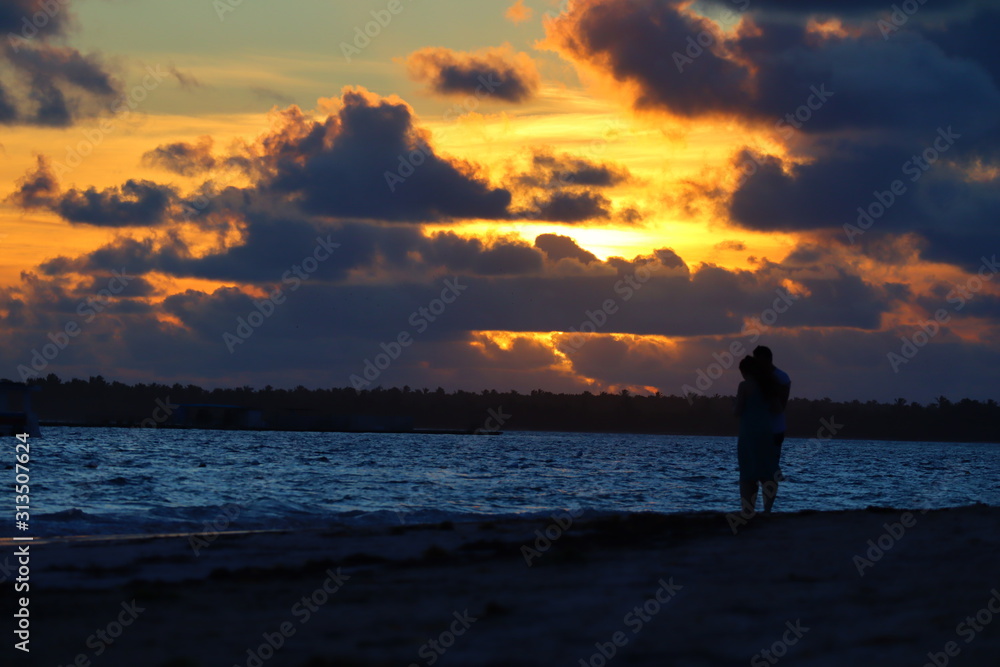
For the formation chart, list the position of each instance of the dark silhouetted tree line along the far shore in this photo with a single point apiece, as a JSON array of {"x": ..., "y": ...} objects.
[{"x": 98, "y": 402}]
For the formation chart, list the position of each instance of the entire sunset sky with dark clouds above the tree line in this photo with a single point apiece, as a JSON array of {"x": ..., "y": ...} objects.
[{"x": 228, "y": 193}]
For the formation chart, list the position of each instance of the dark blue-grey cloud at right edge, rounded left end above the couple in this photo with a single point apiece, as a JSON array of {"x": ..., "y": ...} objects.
[{"x": 851, "y": 195}]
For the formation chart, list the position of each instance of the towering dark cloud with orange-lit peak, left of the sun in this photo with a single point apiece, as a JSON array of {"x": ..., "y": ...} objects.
[{"x": 367, "y": 161}]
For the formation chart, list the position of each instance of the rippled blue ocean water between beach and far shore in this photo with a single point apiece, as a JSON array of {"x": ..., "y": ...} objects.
[{"x": 125, "y": 481}]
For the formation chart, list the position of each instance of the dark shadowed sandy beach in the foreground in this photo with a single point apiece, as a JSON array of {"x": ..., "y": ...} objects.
[{"x": 644, "y": 589}]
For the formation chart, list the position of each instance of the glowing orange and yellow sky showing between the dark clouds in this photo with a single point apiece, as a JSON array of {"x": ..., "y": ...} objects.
[{"x": 681, "y": 172}]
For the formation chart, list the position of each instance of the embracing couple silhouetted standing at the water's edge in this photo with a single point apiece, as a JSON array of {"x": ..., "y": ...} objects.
[{"x": 760, "y": 405}]
